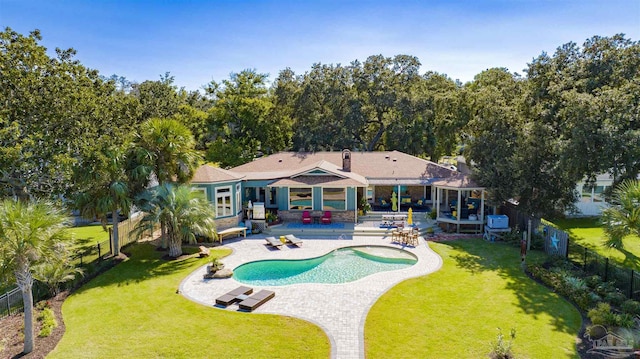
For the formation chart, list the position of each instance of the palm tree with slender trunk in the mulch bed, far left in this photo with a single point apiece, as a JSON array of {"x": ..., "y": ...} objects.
[{"x": 29, "y": 234}]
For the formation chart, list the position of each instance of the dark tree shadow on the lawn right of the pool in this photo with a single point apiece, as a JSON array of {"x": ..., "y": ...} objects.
[{"x": 533, "y": 298}]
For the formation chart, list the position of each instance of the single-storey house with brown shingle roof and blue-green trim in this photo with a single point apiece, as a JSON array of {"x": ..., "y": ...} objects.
[{"x": 289, "y": 183}]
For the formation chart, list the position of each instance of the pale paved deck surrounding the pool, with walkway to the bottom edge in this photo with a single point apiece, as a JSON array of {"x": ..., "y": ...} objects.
[{"x": 339, "y": 309}]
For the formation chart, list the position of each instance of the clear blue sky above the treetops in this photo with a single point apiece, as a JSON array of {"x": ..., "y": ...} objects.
[{"x": 201, "y": 41}]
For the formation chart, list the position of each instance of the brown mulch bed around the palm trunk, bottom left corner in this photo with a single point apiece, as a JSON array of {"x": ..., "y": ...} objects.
[{"x": 11, "y": 332}]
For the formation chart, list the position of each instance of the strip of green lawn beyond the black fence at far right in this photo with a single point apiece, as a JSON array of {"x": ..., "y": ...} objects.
[{"x": 588, "y": 232}]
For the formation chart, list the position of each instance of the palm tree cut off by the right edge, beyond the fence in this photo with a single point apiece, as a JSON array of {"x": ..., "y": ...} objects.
[{"x": 623, "y": 217}]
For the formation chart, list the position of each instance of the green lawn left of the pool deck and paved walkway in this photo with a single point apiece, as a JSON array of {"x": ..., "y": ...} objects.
[{"x": 133, "y": 311}]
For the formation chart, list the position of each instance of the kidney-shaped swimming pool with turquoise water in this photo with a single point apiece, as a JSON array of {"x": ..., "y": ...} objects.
[{"x": 339, "y": 266}]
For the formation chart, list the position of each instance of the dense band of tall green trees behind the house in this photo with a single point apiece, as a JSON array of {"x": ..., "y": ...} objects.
[{"x": 573, "y": 115}]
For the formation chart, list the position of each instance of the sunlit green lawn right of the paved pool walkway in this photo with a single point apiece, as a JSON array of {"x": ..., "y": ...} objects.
[{"x": 454, "y": 312}]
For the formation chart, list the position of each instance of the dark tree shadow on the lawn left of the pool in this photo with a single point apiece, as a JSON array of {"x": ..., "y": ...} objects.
[{"x": 144, "y": 262}]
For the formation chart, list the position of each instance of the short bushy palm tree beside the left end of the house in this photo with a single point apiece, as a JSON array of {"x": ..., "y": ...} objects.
[{"x": 185, "y": 212}]
